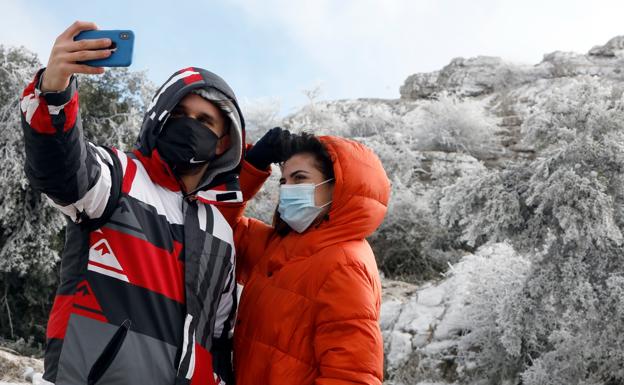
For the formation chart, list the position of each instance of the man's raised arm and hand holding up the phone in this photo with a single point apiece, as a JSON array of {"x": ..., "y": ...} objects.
[{"x": 59, "y": 161}]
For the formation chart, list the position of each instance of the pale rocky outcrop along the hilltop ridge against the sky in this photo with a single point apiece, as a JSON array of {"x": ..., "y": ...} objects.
[{"x": 513, "y": 89}]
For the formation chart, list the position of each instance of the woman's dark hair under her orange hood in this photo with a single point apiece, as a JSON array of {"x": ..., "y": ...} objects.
[{"x": 303, "y": 143}]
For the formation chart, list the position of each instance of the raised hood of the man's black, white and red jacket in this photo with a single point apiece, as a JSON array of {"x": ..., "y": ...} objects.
[{"x": 169, "y": 95}]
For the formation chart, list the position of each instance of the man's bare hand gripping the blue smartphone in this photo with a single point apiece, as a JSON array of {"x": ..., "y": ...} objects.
[{"x": 66, "y": 53}]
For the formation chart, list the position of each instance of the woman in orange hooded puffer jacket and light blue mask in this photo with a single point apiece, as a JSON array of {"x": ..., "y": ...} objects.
[{"x": 309, "y": 310}]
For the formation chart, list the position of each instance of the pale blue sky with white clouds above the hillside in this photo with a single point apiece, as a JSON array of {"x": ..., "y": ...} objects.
[{"x": 273, "y": 50}]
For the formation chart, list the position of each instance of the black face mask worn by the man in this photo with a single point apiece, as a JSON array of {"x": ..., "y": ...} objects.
[{"x": 185, "y": 144}]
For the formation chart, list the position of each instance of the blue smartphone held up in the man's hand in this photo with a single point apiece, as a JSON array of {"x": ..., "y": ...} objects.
[{"x": 122, "y": 40}]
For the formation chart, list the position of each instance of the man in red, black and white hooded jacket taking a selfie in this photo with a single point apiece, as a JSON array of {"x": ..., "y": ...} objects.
[{"x": 147, "y": 291}]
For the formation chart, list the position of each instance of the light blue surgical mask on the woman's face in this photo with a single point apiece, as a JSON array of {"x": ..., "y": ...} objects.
[{"x": 297, "y": 206}]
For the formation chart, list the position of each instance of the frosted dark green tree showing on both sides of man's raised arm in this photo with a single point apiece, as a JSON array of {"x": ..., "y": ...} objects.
[{"x": 31, "y": 231}]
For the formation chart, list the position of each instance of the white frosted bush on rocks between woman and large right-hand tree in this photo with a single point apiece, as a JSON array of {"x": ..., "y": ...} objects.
[{"x": 486, "y": 282}]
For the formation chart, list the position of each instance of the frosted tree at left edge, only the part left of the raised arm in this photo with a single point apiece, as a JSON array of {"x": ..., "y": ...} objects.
[{"x": 29, "y": 230}]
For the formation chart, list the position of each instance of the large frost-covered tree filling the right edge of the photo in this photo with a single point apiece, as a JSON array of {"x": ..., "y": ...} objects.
[{"x": 564, "y": 323}]
